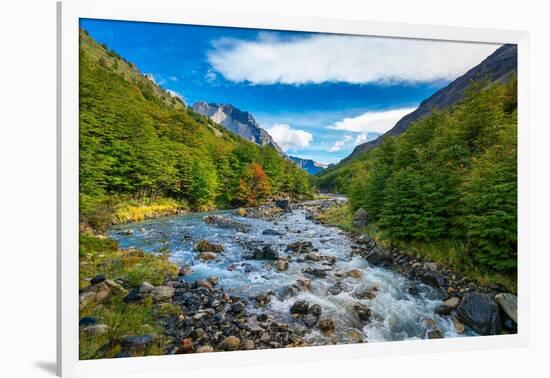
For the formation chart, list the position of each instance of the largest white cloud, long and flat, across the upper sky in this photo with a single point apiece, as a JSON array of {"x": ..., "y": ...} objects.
[{"x": 339, "y": 58}]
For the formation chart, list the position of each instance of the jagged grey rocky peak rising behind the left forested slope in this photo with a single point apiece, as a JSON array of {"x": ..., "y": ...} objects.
[{"x": 239, "y": 122}]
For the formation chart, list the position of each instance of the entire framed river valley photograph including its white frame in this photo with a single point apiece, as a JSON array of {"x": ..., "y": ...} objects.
[{"x": 240, "y": 188}]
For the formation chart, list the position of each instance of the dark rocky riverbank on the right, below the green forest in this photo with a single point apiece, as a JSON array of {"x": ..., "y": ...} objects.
[{"x": 487, "y": 310}]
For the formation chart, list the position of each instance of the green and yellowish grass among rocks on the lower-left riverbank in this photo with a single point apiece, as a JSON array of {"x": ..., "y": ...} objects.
[{"x": 100, "y": 255}]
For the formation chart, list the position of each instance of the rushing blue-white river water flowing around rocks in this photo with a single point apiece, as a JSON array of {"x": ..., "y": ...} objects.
[{"x": 396, "y": 314}]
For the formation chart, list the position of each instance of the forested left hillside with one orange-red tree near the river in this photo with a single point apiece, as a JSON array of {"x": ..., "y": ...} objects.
[{"x": 140, "y": 143}]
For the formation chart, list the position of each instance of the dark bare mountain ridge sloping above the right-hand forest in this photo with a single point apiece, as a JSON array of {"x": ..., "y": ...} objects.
[{"x": 497, "y": 67}]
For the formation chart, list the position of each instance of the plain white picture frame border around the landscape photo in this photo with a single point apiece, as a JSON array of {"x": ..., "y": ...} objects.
[{"x": 166, "y": 11}]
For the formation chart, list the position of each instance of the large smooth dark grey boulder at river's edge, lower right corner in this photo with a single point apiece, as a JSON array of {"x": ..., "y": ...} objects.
[{"x": 480, "y": 312}]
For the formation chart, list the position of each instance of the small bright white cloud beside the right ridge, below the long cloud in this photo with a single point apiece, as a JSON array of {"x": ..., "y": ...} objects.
[{"x": 372, "y": 121}]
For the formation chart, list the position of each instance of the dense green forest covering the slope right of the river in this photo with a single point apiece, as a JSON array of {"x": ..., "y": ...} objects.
[{"x": 451, "y": 176}]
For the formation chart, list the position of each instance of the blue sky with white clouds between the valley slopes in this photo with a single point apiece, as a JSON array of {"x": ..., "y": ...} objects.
[{"x": 318, "y": 95}]
